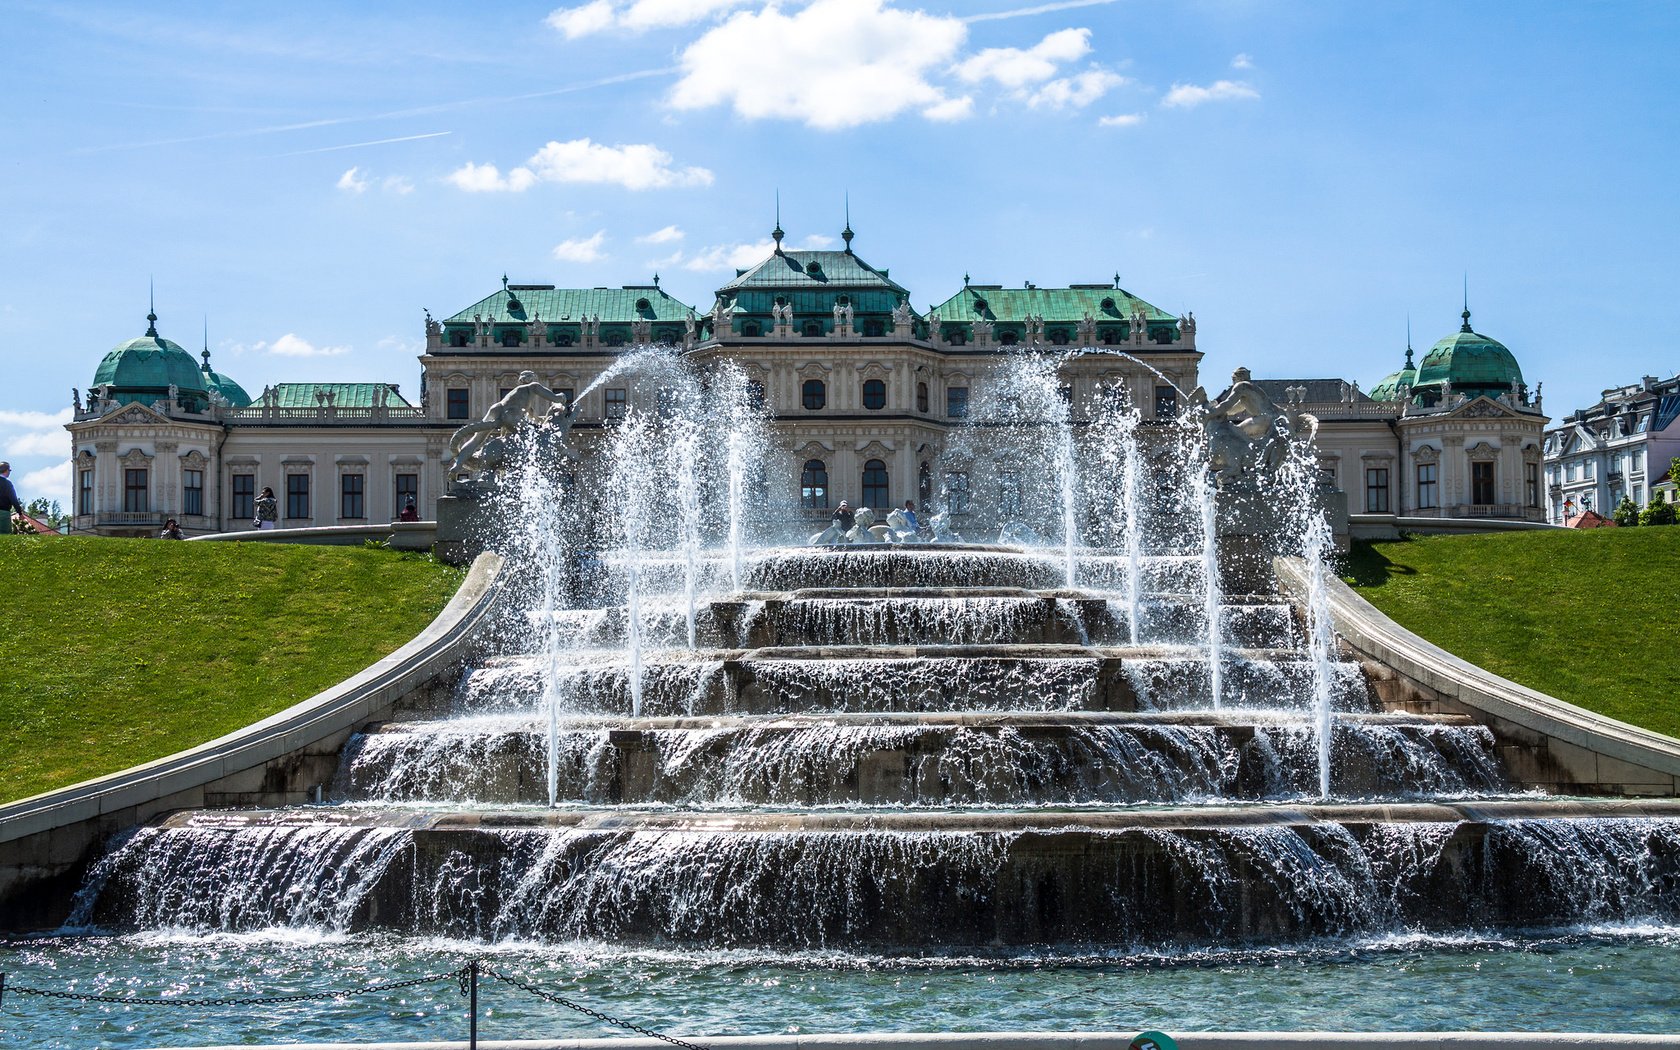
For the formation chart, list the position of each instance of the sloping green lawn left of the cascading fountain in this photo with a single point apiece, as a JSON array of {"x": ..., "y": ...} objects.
[{"x": 123, "y": 651}]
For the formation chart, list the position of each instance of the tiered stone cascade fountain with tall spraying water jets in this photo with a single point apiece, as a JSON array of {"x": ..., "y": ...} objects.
[{"x": 1068, "y": 750}]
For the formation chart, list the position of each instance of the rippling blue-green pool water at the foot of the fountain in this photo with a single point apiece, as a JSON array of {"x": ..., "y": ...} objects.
[{"x": 1583, "y": 980}]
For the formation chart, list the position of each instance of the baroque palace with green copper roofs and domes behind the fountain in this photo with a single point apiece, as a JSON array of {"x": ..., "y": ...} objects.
[{"x": 863, "y": 389}]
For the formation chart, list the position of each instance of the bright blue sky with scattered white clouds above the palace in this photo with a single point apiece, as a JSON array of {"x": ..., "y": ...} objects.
[{"x": 303, "y": 181}]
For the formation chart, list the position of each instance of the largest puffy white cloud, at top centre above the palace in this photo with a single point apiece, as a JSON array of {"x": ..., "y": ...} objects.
[{"x": 829, "y": 65}]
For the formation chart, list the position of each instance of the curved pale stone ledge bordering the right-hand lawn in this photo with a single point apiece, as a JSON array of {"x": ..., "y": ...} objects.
[{"x": 1590, "y": 752}]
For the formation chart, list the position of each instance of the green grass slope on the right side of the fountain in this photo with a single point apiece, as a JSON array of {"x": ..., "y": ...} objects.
[{"x": 1590, "y": 617}]
